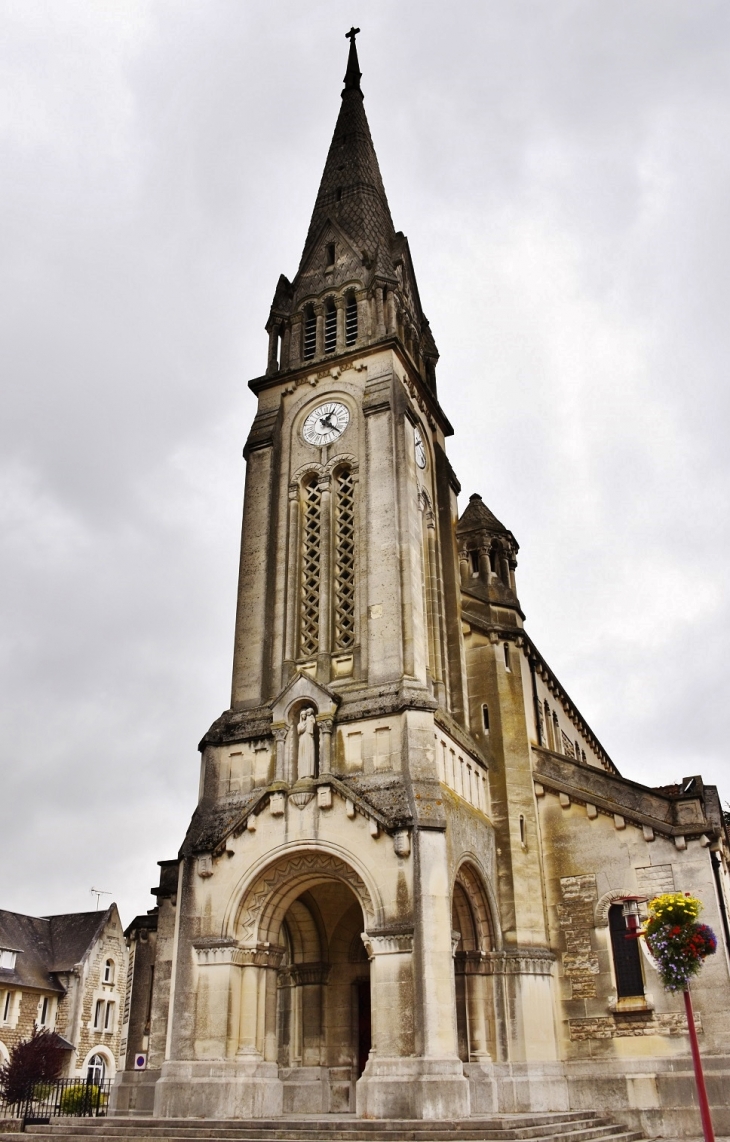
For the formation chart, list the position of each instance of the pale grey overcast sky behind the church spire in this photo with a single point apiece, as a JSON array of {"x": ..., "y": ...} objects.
[{"x": 561, "y": 168}]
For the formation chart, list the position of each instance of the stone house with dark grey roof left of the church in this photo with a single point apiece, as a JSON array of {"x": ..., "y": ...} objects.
[{"x": 66, "y": 974}]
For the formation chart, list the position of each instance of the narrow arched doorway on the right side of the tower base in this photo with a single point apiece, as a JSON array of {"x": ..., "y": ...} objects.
[{"x": 474, "y": 979}]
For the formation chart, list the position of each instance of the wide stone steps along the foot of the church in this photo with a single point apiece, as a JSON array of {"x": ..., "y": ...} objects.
[{"x": 576, "y": 1127}]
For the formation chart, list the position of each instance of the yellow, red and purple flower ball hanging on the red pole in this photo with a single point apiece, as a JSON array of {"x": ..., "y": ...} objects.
[{"x": 676, "y": 939}]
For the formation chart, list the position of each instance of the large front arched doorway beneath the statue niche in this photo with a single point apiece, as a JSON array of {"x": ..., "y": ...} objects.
[{"x": 309, "y": 1010}]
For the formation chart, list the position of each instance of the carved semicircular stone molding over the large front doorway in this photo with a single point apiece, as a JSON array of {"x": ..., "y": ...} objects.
[{"x": 261, "y": 899}]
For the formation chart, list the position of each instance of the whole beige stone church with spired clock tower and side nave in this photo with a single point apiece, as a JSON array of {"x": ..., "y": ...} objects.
[{"x": 405, "y": 889}]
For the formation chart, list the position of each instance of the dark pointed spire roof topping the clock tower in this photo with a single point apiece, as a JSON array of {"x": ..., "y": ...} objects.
[{"x": 351, "y": 192}]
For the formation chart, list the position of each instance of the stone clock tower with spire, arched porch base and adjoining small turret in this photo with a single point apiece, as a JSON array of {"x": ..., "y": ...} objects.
[{"x": 340, "y": 939}]
